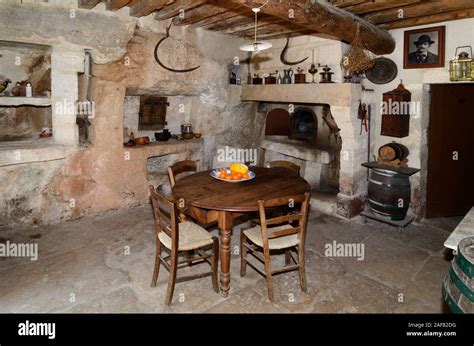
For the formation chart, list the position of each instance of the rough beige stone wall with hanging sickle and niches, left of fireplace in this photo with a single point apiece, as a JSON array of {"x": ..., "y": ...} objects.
[{"x": 105, "y": 175}]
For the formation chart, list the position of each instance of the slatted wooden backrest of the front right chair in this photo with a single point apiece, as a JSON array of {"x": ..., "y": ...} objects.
[{"x": 301, "y": 216}]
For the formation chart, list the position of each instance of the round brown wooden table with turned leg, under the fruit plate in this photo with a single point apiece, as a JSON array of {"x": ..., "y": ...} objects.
[{"x": 226, "y": 201}]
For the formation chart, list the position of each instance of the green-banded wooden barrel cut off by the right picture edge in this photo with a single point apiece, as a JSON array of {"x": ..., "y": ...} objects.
[{"x": 458, "y": 286}]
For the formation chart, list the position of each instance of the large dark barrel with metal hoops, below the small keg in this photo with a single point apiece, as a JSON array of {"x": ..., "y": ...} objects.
[{"x": 389, "y": 193}]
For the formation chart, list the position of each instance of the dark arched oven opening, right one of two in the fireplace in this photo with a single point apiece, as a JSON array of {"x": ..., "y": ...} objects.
[{"x": 304, "y": 125}]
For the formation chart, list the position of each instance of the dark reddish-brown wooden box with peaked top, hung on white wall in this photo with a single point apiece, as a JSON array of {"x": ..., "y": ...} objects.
[{"x": 396, "y": 112}]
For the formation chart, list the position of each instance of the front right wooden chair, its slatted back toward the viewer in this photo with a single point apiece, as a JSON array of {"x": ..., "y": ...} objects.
[{"x": 277, "y": 234}]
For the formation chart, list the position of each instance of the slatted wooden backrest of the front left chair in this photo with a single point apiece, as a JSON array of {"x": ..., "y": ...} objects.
[{"x": 165, "y": 214}]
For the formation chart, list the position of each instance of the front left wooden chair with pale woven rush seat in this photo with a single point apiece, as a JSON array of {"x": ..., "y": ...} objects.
[{"x": 177, "y": 238}]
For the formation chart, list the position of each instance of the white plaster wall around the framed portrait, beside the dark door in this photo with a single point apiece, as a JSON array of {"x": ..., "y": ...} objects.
[{"x": 458, "y": 33}]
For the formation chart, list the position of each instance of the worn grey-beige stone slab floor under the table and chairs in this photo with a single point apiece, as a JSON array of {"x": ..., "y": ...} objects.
[{"x": 104, "y": 264}]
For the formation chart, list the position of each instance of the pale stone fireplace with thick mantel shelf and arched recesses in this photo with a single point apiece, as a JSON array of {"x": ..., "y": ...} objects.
[{"x": 303, "y": 144}]
